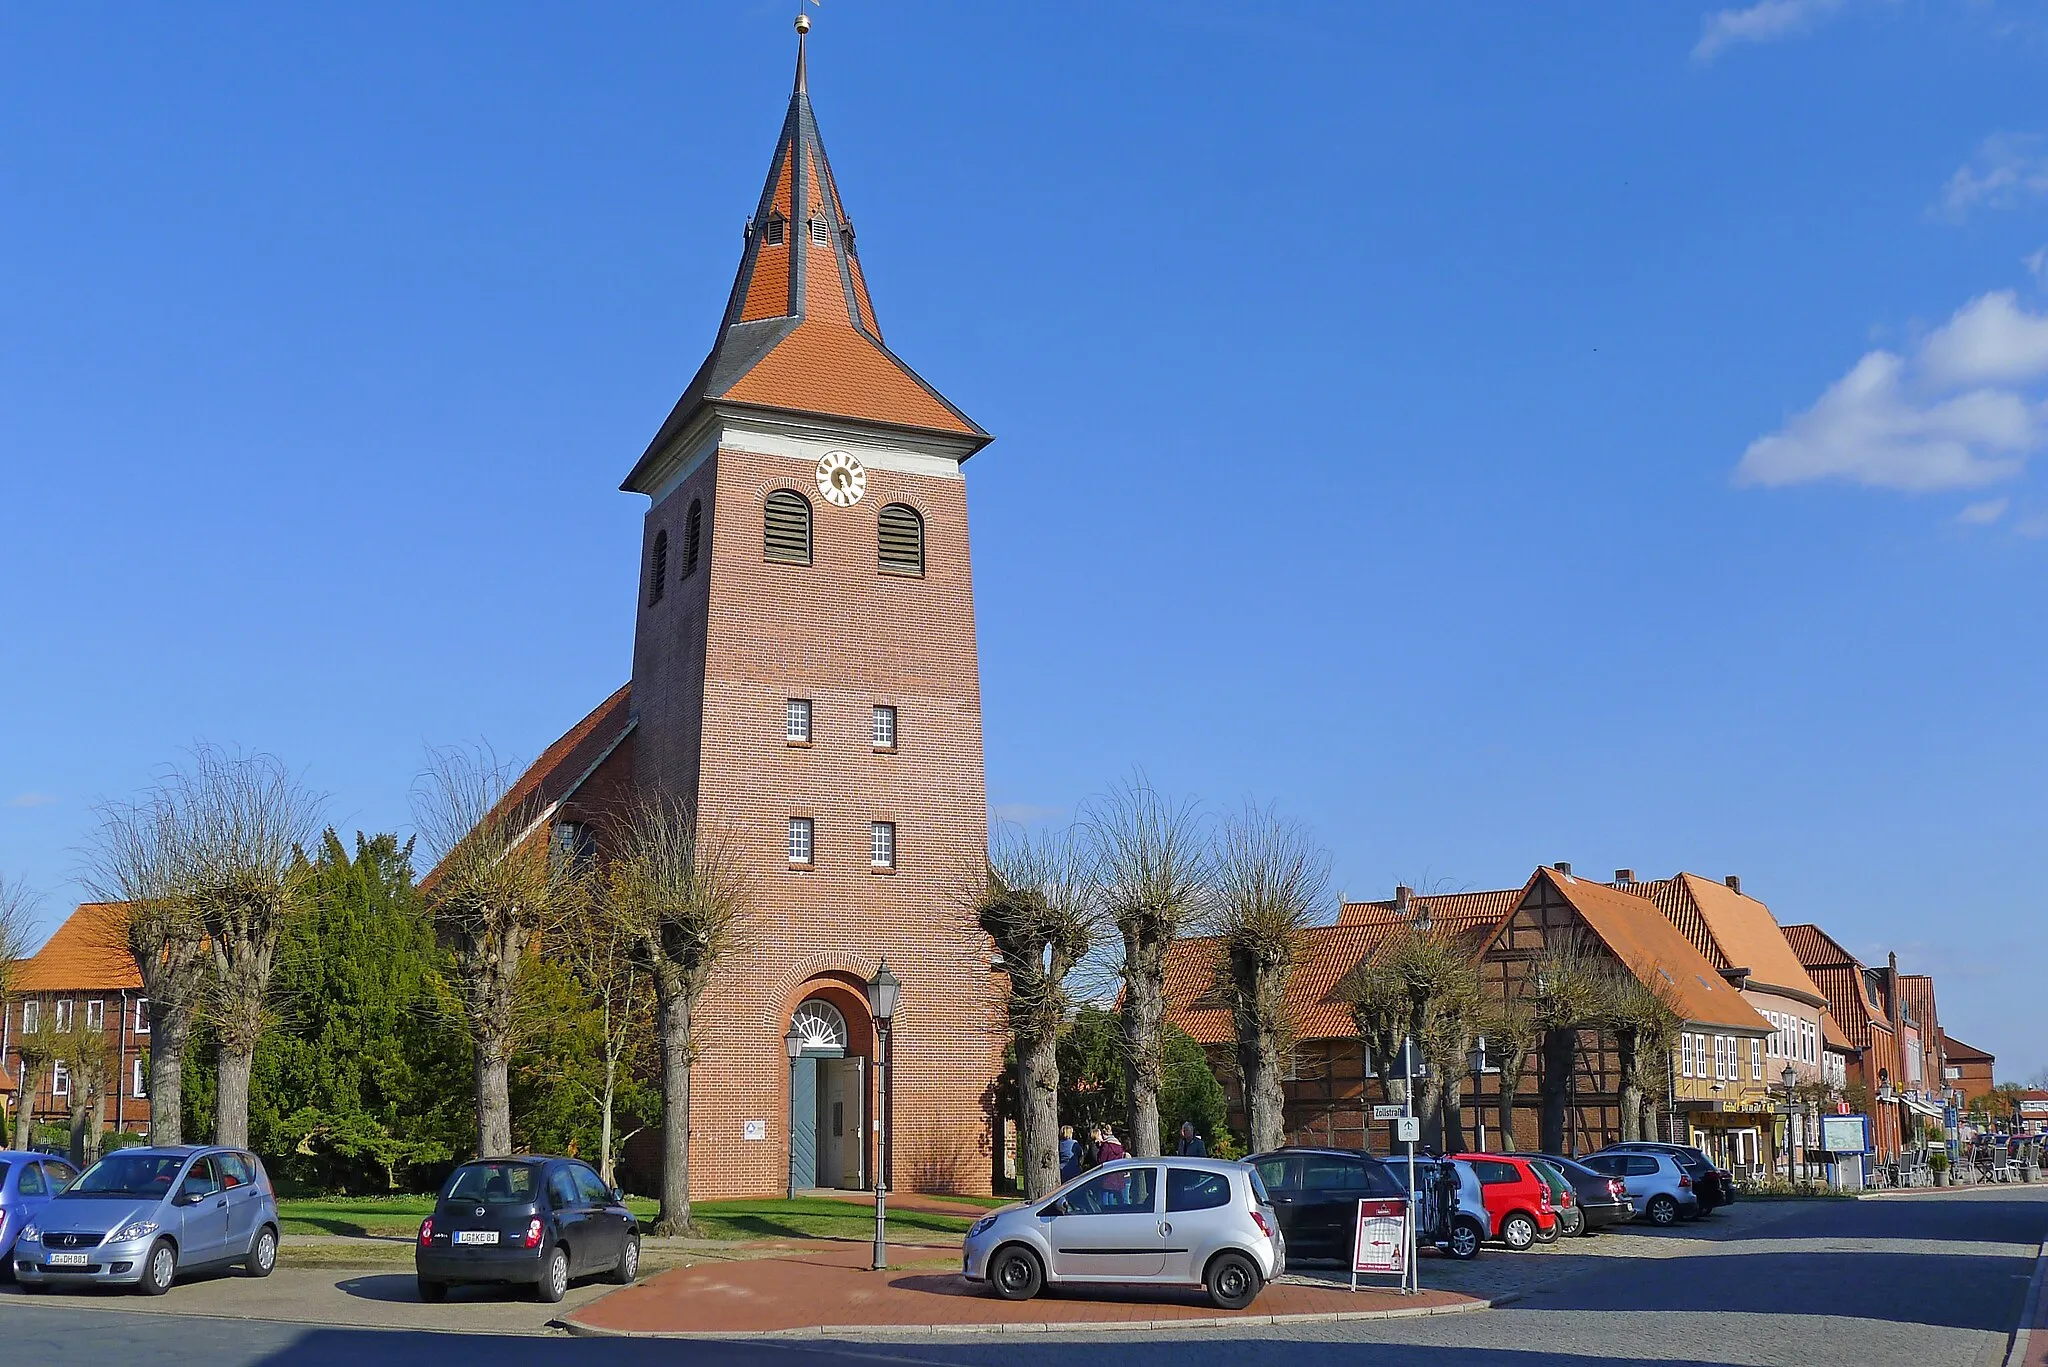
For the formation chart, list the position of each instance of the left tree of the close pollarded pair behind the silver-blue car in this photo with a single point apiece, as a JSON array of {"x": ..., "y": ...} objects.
[{"x": 136, "y": 862}]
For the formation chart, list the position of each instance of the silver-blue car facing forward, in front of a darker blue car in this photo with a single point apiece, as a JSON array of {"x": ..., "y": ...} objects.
[{"x": 142, "y": 1216}]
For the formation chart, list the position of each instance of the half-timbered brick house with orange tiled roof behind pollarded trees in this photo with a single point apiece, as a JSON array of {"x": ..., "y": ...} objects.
[{"x": 1508, "y": 934}]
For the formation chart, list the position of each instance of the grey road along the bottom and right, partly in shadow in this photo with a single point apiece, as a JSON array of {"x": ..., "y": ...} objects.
[{"x": 1920, "y": 1282}]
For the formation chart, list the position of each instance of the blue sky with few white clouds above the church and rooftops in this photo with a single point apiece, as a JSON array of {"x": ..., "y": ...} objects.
[{"x": 1492, "y": 436}]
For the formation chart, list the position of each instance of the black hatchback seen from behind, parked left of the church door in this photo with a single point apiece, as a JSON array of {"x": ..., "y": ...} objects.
[{"x": 538, "y": 1223}]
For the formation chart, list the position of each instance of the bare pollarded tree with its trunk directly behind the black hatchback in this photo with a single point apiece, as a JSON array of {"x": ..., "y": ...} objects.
[{"x": 497, "y": 888}]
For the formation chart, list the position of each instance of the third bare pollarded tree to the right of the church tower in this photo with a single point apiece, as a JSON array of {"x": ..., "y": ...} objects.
[{"x": 1269, "y": 886}]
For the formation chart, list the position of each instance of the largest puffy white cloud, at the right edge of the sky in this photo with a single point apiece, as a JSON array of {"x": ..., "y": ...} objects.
[{"x": 1963, "y": 411}]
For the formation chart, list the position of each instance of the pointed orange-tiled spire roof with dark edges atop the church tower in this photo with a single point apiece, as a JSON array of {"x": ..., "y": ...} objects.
[{"x": 800, "y": 331}]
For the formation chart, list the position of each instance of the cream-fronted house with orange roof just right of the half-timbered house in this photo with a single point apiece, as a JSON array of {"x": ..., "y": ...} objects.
[{"x": 1746, "y": 946}]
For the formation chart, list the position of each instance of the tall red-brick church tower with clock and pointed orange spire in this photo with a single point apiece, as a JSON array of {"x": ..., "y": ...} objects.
[{"x": 804, "y": 671}]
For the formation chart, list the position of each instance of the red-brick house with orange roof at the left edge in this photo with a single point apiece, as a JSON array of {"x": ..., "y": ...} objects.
[{"x": 85, "y": 977}]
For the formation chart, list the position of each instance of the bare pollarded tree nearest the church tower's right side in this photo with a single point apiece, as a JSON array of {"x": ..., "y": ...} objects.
[{"x": 1043, "y": 911}]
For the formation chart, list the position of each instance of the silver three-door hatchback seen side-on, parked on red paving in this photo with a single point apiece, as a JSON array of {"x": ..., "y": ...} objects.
[{"x": 1177, "y": 1223}]
